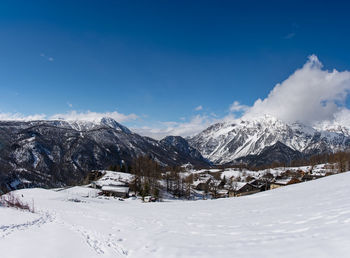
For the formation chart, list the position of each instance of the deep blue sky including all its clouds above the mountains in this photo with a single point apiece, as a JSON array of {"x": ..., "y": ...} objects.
[{"x": 174, "y": 67}]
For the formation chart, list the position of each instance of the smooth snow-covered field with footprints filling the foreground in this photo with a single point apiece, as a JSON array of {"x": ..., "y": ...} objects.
[{"x": 304, "y": 220}]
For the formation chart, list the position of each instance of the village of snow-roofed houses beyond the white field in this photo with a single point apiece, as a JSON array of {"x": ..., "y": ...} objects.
[{"x": 207, "y": 183}]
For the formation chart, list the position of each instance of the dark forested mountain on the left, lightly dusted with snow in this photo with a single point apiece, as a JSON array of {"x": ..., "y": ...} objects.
[{"x": 58, "y": 153}]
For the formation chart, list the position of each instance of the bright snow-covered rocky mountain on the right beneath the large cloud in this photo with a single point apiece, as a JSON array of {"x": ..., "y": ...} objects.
[{"x": 226, "y": 142}]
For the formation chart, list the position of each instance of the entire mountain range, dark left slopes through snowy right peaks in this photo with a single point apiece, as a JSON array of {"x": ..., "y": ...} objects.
[{"x": 55, "y": 153}]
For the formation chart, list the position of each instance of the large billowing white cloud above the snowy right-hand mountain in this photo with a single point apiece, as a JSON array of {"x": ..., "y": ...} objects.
[{"x": 310, "y": 95}]
